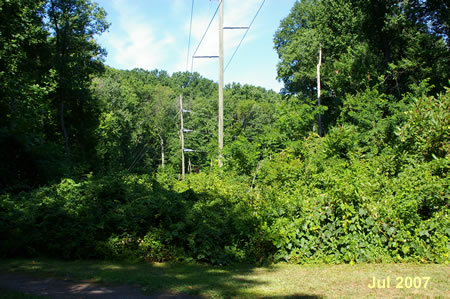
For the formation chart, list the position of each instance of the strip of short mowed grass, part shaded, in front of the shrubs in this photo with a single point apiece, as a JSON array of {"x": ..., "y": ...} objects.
[{"x": 276, "y": 281}]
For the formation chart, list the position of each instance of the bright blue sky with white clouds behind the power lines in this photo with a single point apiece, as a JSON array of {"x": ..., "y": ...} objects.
[{"x": 153, "y": 34}]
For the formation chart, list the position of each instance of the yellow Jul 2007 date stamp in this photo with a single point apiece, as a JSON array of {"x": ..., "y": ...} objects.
[{"x": 400, "y": 282}]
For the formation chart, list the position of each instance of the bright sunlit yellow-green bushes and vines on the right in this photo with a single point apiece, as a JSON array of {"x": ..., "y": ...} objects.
[{"x": 344, "y": 200}]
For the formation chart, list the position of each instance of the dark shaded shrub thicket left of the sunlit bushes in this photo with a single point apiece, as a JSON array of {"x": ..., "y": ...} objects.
[{"x": 128, "y": 216}]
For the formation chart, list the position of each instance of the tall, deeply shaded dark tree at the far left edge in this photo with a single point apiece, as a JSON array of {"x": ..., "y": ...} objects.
[{"x": 26, "y": 116}]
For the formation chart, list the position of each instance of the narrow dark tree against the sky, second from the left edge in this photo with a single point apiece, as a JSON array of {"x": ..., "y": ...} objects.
[{"x": 73, "y": 25}]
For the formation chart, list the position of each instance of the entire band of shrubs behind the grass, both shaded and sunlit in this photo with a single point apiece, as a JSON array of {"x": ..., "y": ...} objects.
[{"x": 333, "y": 199}]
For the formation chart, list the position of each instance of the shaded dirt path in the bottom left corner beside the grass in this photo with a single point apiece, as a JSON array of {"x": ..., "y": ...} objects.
[{"x": 59, "y": 289}]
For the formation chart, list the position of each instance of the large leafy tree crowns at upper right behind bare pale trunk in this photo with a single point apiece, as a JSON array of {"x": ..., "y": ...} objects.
[{"x": 387, "y": 44}]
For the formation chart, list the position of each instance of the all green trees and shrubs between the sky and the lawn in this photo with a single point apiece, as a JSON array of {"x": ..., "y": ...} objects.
[{"x": 91, "y": 155}]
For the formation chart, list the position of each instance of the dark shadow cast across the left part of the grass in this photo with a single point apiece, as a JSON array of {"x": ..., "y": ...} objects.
[{"x": 190, "y": 279}]
